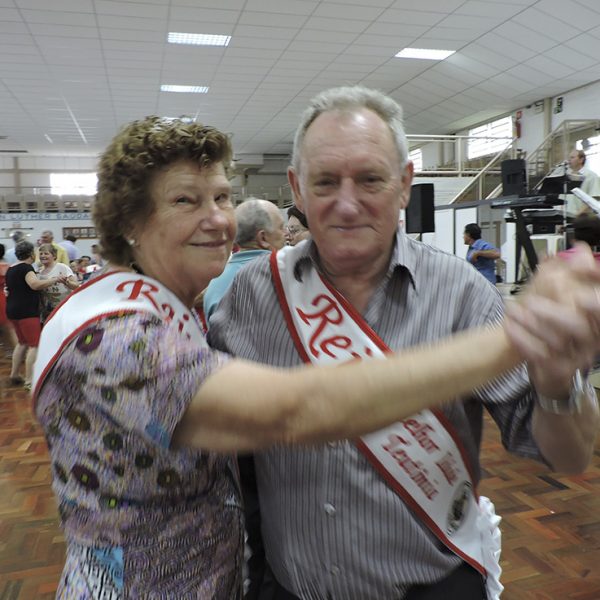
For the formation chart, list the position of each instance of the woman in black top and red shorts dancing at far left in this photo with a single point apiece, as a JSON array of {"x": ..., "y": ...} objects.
[{"x": 23, "y": 309}]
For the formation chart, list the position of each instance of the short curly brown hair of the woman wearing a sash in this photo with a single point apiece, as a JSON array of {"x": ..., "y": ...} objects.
[{"x": 127, "y": 166}]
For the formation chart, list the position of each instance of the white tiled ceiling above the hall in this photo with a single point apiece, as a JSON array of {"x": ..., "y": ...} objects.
[{"x": 73, "y": 71}]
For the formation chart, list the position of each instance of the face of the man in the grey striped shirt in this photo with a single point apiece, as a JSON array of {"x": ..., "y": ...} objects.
[{"x": 351, "y": 188}]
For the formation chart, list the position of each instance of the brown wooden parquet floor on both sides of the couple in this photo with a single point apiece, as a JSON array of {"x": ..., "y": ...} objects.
[{"x": 551, "y": 523}]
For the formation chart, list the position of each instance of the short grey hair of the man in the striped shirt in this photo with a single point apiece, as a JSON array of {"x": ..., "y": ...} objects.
[{"x": 352, "y": 98}]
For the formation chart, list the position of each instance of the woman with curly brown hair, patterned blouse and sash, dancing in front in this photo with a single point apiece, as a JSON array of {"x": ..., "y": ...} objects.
[{"x": 141, "y": 416}]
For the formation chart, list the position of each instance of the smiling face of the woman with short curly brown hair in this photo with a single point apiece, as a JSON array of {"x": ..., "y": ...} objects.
[{"x": 187, "y": 240}]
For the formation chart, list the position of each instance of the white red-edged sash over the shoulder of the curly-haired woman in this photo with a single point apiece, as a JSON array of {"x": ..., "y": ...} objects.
[{"x": 110, "y": 294}]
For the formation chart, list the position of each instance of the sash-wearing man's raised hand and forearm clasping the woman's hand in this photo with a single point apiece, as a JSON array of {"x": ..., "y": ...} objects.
[{"x": 555, "y": 342}]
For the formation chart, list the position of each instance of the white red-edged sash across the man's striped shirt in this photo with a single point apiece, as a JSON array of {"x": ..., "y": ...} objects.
[{"x": 420, "y": 458}]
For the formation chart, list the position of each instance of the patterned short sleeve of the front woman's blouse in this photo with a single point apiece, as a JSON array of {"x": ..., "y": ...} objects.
[{"x": 137, "y": 370}]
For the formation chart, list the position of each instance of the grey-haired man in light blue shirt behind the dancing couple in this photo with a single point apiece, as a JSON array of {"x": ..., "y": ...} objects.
[{"x": 260, "y": 230}]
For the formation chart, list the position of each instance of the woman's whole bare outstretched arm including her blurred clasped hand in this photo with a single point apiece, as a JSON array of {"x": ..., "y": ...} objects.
[{"x": 246, "y": 406}]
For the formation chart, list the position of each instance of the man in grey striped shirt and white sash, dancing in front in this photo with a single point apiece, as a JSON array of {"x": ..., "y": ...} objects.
[{"x": 395, "y": 514}]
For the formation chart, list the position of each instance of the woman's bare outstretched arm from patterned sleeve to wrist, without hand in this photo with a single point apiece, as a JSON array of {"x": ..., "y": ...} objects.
[{"x": 246, "y": 406}]
